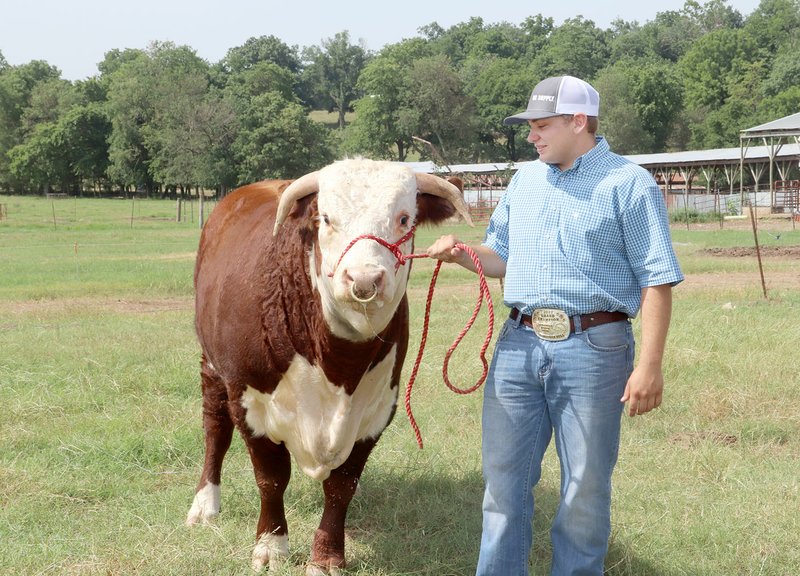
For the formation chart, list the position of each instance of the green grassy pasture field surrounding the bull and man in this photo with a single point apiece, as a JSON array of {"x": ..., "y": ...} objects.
[{"x": 101, "y": 440}]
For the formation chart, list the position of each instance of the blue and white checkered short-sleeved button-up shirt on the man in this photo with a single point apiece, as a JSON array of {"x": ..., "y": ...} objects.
[{"x": 584, "y": 240}]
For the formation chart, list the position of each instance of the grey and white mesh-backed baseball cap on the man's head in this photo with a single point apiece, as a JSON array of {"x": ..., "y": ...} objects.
[{"x": 559, "y": 95}]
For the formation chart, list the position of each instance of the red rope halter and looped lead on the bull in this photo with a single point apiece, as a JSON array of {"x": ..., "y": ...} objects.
[{"x": 484, "y": 293}]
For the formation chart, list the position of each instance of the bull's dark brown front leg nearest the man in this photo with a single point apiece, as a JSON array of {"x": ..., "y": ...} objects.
[{"x": 327, "y": 551}]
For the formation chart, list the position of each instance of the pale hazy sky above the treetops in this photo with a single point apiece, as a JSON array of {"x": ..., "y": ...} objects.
[{"x": 74, "y": 35}]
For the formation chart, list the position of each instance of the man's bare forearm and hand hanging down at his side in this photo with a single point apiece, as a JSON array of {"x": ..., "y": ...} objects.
[{"x": 645, "y": 387}]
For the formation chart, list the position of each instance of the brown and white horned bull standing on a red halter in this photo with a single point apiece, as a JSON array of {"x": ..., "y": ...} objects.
[{"x": 303, "y": 352}]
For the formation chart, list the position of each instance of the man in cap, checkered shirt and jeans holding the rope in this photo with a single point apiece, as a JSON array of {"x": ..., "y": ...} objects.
[{"x": 582, "y": 239}]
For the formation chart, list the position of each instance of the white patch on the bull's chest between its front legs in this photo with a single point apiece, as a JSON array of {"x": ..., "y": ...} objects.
[{"x": 318, "y": 421}]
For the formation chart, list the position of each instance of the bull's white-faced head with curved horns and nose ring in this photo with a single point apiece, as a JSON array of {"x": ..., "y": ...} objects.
[{"x": 361, "y": 292}]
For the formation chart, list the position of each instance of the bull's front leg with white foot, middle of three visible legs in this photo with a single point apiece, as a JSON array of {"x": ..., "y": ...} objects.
[{"x": 272, "y": 468}]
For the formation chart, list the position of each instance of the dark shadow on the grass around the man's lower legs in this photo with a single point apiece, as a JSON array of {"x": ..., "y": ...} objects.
[{"x": 422, "y": 524}]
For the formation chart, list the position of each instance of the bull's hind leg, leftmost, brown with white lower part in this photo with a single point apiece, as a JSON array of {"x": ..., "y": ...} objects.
[{"x": 218, "y": 428}]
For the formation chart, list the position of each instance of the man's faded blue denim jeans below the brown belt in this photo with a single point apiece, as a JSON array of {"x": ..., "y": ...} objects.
[{"x": 534, "y": 388}]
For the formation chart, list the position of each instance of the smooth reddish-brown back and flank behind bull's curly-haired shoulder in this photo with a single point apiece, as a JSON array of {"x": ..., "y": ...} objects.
[{"x": 230, "y": 276}]
